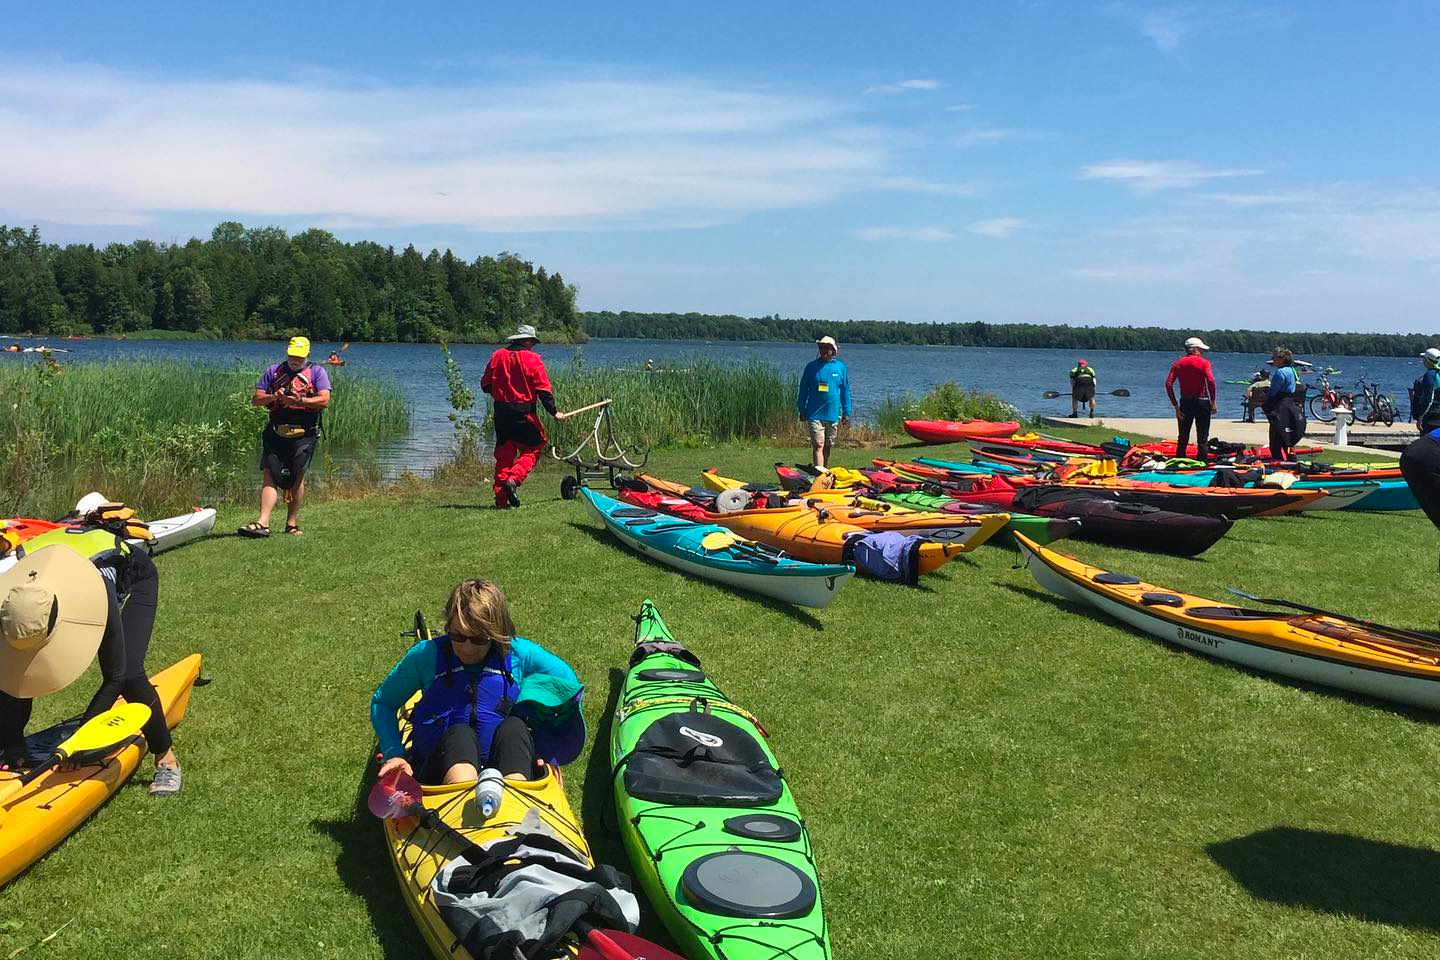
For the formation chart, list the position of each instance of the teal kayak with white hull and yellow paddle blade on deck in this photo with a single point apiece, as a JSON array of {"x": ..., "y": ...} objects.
[{"x": 729, "y": 559}]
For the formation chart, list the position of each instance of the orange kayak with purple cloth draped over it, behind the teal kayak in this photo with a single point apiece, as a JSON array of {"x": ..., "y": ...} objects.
[{"x": 801, "y": 532}]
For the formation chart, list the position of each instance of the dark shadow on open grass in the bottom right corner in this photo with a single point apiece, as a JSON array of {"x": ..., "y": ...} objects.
[{"x": 1337, "y": 874}]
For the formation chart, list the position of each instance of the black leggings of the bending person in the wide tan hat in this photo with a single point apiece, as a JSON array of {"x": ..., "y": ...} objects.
[{"x": 122, "y": 663}]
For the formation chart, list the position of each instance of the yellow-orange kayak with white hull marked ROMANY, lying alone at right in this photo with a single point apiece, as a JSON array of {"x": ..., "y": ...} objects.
[{"x": 1304, "y": 647}]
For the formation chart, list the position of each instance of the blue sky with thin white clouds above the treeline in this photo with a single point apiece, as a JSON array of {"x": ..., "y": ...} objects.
[{"x": 1210, "y": 165}]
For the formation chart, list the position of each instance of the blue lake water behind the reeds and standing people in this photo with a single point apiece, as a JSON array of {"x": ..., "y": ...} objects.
[{"x": 1019, "y": 376}]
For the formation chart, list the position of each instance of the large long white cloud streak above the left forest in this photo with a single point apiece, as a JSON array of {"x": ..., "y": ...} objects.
[{"x": 97, "y": 146}]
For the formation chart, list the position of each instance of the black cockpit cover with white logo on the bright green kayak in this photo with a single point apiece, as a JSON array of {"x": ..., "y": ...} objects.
[{"x": 695, "y": 759}]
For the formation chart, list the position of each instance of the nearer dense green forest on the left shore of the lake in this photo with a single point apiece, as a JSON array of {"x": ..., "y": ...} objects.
[{"x": 260, "y": 283}]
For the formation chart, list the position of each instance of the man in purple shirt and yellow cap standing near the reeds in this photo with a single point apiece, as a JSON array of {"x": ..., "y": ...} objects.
[{"x": 296, "y": 392}]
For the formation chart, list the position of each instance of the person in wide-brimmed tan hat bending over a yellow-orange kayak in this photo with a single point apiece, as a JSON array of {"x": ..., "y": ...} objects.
[{"x": 132, "y": 591}]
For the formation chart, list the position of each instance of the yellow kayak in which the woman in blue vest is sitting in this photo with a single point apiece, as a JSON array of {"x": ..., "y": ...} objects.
[{"x": 418, "y": 854}]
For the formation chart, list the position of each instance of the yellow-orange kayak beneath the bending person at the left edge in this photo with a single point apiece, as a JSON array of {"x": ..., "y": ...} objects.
[{"x": 47, "y": 811}]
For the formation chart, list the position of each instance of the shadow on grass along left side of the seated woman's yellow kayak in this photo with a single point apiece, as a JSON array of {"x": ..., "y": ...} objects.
[{"x": 364, "y": 866}]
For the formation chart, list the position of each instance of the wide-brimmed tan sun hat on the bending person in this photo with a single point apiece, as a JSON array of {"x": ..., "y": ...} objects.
[{"x": 53, "y": 617}]
